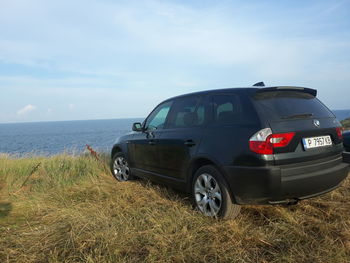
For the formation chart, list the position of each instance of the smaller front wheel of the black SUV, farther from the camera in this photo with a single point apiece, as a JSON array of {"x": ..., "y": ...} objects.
[{"x": 120, "y": 168}]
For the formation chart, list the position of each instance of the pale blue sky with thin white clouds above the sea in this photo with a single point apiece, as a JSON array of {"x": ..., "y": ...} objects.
[{"x": 81, "y": 59}]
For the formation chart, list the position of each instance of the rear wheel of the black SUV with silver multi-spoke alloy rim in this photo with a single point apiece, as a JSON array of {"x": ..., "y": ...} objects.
[{"x": 211, "y": 194}]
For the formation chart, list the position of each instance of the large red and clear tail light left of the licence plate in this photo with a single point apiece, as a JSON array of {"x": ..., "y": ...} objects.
[{"x": 264, "y": 141}]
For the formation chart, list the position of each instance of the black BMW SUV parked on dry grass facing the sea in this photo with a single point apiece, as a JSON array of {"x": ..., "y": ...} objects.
[{"x": 237, "y": 146}]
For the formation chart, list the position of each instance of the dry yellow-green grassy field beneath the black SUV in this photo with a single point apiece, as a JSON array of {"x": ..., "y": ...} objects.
[{"x": 71, "y": 210}]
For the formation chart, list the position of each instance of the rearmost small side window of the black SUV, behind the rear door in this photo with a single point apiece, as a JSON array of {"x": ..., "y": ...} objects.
[{"x": 227, "y": 109}]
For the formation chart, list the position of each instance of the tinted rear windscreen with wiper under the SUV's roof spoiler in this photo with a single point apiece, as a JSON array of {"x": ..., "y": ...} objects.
[{"x": 277, "y": 105}]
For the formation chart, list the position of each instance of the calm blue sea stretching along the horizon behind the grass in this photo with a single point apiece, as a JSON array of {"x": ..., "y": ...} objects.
[{"x": 56, "y": 137}]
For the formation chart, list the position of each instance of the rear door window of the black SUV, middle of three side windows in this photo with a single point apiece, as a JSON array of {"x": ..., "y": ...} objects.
[{"x": 187, "y": 112}]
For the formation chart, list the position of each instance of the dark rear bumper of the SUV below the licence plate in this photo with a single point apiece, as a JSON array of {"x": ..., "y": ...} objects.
[{"x": 278, "y": 184}]
